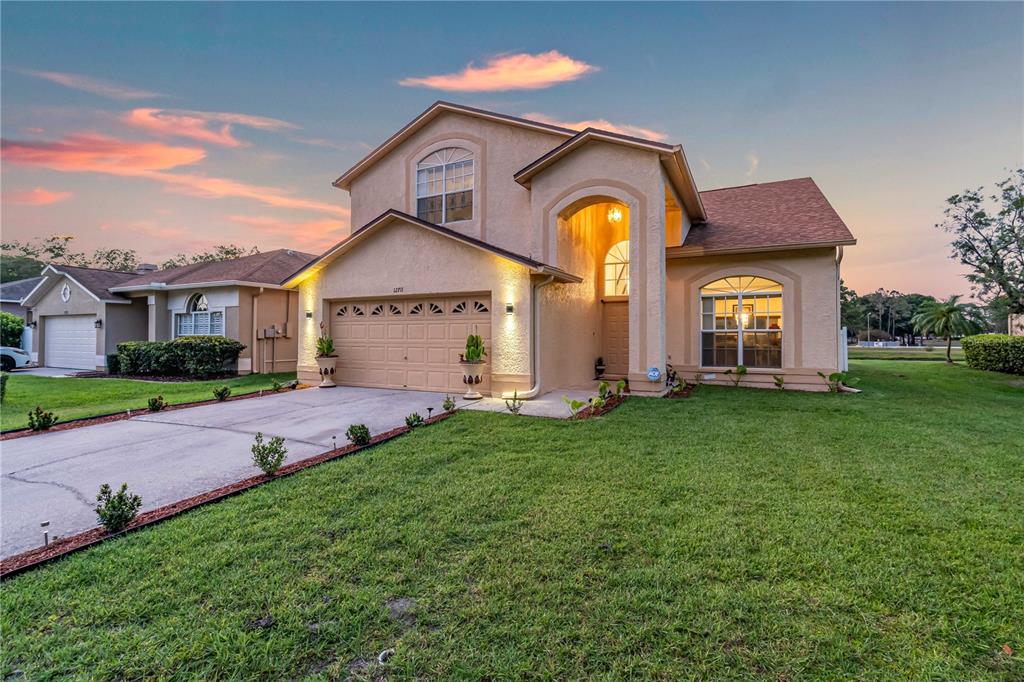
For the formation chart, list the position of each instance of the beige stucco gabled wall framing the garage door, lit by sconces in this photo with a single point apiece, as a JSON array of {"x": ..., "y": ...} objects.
[{"x": 416, "y": 262}]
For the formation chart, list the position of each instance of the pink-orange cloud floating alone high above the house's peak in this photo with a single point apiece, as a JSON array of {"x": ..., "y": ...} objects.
[{"x": 508, "y": 72}]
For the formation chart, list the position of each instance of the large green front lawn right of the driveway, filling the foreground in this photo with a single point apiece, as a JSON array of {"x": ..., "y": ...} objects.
[{"x": 736, "y": 535}]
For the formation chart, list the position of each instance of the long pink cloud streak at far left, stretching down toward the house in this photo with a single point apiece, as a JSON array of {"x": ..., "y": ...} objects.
[{"x": 88, "y": 153}]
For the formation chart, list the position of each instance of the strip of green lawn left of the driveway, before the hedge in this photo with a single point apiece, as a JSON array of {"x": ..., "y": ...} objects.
[{"x": 71, "y": 399}]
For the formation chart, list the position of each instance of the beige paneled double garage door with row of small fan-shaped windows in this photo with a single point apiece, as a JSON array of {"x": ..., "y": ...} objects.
[{"x": 408, "y": 344}]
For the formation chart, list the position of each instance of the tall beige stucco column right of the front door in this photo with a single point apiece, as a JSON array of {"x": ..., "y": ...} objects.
[{"x": 648, "y": 296}]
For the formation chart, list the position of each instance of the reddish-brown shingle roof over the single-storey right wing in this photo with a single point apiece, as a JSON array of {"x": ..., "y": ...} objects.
[{"x": 771, "y": 216}]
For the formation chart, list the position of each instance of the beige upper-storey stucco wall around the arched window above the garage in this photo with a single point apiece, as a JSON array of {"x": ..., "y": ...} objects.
[{"x": 500, "y": 206}]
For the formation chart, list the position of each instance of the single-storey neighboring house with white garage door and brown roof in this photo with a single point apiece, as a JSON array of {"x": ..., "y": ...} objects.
[{"x": 81, "y": 314}]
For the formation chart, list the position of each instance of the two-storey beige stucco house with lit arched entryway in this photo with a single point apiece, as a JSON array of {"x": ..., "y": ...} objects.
[{"x": 560, "y": 247}]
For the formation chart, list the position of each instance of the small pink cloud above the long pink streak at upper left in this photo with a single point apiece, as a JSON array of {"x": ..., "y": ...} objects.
[{"x": 212, "y": 127}]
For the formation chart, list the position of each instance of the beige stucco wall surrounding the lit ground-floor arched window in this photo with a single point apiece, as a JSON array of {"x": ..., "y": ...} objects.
[{"x": 810, "y": 321}]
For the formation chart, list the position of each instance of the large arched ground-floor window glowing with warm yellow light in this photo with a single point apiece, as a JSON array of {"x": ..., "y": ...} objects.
[{"x": 742, "y": 323}]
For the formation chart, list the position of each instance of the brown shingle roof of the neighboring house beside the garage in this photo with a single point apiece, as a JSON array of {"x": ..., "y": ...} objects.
[{"x": 271, "y": 268}]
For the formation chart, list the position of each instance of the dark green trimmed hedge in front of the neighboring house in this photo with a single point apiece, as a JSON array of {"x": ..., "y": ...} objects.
[{"x": 186, "y": 357}]
